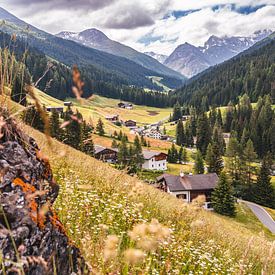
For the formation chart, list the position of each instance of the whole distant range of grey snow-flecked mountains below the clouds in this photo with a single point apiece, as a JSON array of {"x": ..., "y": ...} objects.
[{"x": 186, "y": 59}]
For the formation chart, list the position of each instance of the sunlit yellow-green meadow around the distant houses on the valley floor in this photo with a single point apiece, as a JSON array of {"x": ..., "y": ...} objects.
[{"x": 99, "y": 107}]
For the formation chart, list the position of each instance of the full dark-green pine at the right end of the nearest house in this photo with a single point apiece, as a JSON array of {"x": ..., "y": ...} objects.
[{"x": 222, "y": 198}]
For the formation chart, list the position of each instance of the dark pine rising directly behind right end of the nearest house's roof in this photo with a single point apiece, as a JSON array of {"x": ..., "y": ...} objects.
[{"x": 213, "y": 159}]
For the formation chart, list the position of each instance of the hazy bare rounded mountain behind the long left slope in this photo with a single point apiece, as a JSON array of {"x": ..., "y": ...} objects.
[{"x": 96, "y": 39}]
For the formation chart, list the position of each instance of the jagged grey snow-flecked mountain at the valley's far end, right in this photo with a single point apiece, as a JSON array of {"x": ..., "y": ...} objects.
[{"x": 191, "y": 60}]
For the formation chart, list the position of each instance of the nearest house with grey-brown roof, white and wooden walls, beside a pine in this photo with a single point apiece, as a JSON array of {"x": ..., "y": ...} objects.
[{"x": 188, "y": 187}]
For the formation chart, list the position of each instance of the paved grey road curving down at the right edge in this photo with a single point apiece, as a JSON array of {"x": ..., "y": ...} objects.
[{"x": 262, "y": 215}]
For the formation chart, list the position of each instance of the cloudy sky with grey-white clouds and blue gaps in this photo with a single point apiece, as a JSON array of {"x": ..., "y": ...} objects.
[{"x": 149, "y": 25}]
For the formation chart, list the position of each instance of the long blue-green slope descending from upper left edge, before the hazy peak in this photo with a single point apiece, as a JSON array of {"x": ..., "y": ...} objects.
[{"x": 122, "y": 70}]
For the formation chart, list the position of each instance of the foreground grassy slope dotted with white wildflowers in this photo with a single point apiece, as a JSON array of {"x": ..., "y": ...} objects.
[{"x": 97, "y": 201}]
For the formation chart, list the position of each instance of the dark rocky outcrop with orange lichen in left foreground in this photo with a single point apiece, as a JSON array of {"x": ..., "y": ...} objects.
[{"x": 32, "y": 238}]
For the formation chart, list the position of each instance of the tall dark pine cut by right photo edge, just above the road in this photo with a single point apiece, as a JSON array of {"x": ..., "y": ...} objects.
[{"x": 263, "y": 191}]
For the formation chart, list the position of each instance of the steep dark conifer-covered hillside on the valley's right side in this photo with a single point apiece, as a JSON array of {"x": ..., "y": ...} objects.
[{"x": 252, "y": 73}]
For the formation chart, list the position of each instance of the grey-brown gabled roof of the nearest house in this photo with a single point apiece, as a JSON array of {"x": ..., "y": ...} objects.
[{"x": 187, "y": 182}]
